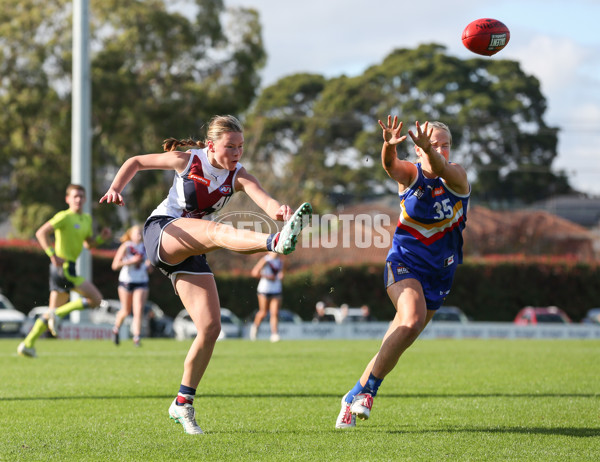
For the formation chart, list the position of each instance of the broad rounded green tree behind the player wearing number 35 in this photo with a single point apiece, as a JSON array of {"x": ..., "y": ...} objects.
[{"x": 324, "y": 135}]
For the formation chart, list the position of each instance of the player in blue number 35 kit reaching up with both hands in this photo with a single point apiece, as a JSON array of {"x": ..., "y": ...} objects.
[{"x": 426, "y": 249}]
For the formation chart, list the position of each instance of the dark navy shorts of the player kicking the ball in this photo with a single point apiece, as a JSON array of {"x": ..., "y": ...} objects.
[{"x": 153, "y": 229}]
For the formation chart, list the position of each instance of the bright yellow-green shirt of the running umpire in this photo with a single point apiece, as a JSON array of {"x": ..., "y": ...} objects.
[{"x": 70, "y": 230}]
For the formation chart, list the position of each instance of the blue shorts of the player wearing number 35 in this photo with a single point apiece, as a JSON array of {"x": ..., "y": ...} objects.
[{"x": 436, "y": 285}]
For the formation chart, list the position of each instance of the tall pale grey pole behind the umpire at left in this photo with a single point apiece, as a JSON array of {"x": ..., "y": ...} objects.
[{"x": 81, "y": 171}]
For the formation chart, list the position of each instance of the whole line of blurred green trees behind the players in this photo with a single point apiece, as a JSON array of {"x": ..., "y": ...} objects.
[{"x": 158, "y": 71}]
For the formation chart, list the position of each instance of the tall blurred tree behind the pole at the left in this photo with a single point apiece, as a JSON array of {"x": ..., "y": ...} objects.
[{"x": 156, "y": 72}]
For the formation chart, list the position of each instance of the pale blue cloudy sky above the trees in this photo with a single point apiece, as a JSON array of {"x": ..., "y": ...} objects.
[{"x": 556, "y": 41}]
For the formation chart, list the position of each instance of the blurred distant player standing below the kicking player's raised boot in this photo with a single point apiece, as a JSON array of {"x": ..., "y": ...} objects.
[{"x": 269, "y": 292}]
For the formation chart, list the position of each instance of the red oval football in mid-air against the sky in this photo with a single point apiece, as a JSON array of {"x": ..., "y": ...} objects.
[{"x": 486, "y": 36}]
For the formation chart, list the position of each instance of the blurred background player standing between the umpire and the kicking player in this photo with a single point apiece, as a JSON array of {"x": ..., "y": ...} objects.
[{"x": 133, "y": 265}]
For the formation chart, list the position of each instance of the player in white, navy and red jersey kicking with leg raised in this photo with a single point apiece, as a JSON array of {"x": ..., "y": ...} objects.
[{"x": 176, "y": 237}]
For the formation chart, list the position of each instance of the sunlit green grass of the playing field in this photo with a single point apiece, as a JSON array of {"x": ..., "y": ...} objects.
[{"x": 453, "y": 400}]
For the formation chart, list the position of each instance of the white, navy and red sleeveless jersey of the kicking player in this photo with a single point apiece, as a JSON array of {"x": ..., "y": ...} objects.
[{"x": 199, "y": 190}]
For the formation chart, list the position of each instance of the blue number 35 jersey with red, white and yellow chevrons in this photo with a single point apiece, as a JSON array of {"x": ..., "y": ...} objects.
[{"x": 429, "y": 232}]
